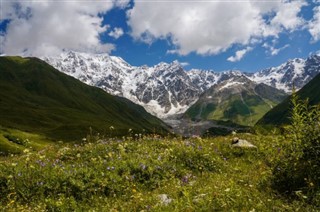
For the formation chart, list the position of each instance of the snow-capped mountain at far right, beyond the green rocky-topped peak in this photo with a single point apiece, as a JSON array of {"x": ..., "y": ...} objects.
[{"x": 297, "y": 72}]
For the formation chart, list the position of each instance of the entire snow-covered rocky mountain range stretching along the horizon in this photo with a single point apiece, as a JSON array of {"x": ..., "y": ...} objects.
[{"x": 167, "y": 90}]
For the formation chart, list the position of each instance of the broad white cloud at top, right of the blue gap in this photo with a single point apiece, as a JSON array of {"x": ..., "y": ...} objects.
[{"x": 211, "y": 27}]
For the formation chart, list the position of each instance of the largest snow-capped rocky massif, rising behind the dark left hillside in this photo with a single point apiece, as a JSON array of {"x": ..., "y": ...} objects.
[{"x": 164, "y": 89}]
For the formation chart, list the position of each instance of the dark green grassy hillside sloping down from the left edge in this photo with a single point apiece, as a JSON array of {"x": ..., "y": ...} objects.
[{"x": 35, "y": 97}]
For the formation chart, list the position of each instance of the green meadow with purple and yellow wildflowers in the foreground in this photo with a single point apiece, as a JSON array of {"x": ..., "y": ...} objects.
[{"x": 131, "y": 175}]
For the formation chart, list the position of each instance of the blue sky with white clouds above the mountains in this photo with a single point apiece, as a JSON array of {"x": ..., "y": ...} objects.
[{"x": 217, "y": 34}]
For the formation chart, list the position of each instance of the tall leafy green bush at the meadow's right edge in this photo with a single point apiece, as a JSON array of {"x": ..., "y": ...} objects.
[{"x": 297, "y": 173}]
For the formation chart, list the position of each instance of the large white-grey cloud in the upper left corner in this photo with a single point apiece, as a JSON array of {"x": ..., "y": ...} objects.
[{"x": 46, "y": 27}]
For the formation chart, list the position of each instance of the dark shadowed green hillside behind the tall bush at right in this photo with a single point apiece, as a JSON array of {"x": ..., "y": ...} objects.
[{"x": 280, "y": 114}]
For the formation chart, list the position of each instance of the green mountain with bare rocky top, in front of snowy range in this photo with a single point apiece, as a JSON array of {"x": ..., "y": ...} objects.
[{"x": 243, "y": 104}]
